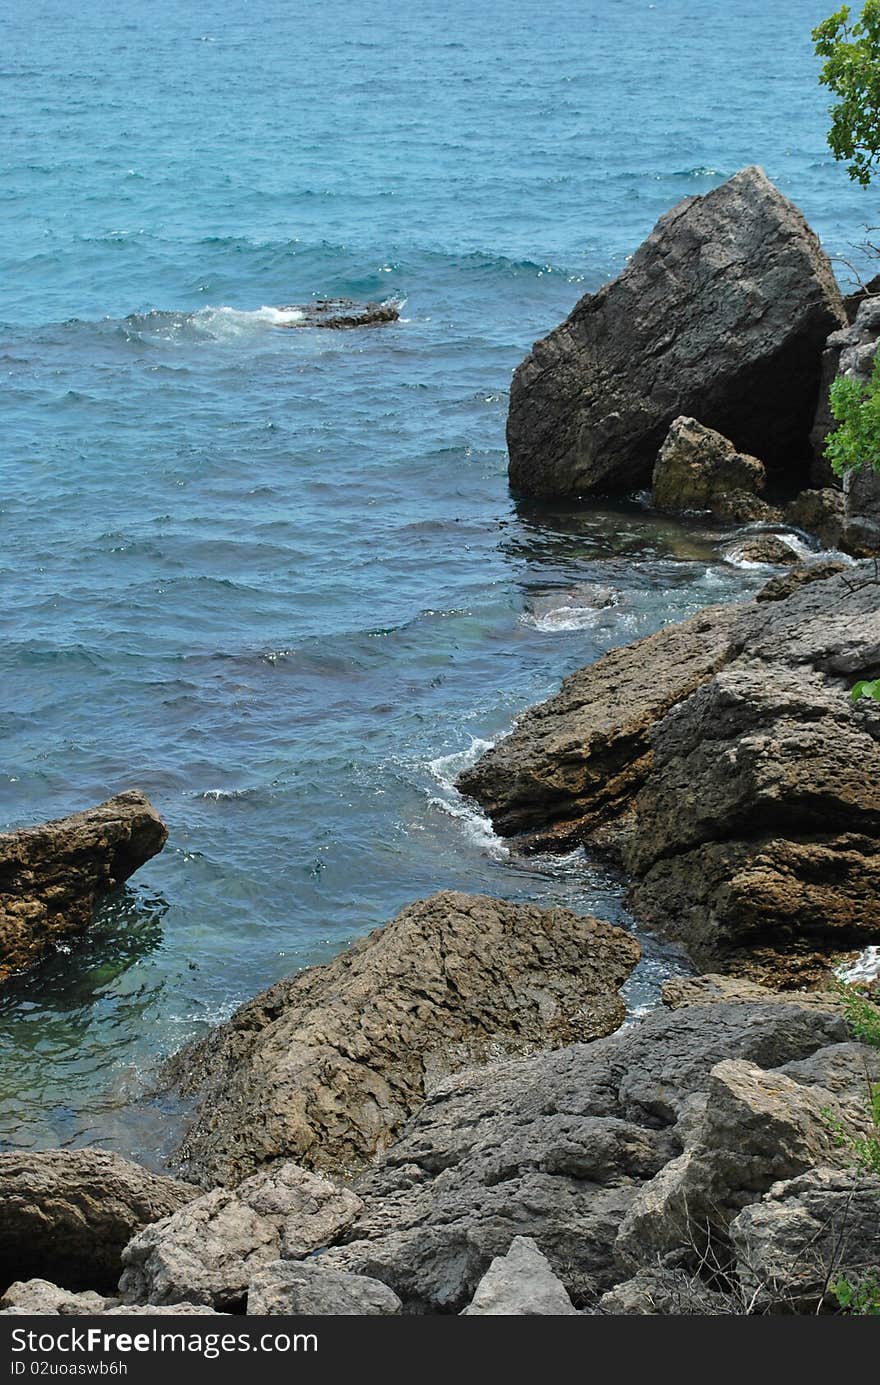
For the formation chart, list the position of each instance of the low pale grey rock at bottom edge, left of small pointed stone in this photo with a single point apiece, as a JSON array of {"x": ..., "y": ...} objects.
[{"x": 313, "y": 1290}]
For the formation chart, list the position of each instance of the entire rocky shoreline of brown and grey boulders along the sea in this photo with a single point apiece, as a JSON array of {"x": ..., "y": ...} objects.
[{"x": 452, "y": 1117}]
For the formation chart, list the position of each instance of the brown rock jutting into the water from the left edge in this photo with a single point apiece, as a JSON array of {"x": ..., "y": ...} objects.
[{"x": 52, "y": 876}]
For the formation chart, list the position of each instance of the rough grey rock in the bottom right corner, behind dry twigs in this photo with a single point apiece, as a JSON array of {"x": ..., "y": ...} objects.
[{"x": 806, "y": 1233}]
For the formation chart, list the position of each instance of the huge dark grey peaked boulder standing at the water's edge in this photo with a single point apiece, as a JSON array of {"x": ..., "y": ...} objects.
[{"x": 721, "y": 315}]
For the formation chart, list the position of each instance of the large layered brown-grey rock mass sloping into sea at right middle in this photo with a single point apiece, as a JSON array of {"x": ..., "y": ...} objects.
[{"x": 727, "y": 769}]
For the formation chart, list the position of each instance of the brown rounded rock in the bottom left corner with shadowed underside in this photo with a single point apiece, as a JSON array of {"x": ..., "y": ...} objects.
[{"x": 69, "y": 1214}]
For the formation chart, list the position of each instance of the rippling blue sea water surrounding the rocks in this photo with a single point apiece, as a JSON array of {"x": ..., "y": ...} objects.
[{"x": 275, "y": 577}]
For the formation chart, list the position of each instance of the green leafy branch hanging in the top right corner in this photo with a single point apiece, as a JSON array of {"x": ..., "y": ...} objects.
[{"x": 852, "y": 71}]
